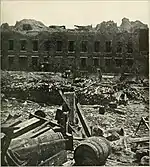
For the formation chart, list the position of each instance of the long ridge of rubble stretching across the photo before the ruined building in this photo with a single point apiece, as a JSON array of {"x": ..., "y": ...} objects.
[{"x": 42, "y": 87}]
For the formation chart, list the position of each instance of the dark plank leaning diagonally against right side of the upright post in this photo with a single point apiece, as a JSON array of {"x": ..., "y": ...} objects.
[{"x": 83, "y": 120}]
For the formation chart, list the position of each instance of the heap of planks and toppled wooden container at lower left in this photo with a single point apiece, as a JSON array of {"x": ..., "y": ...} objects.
[{"x": 34, "y": 142}]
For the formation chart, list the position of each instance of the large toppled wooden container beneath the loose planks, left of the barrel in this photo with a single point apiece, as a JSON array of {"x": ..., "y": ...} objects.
[{"x": 35, "y": 151}]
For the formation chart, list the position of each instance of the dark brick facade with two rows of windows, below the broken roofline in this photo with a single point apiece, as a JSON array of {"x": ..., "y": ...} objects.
[{"x": 112, "y": 61}]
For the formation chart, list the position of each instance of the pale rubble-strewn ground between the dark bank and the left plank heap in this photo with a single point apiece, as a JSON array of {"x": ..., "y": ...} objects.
[{"x": 23, "y": 108}]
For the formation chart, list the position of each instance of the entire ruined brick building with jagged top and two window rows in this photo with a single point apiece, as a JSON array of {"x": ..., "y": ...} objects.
[{"x": 114, "y": 49}]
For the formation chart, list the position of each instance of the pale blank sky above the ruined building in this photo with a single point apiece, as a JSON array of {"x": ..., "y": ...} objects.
[{"x": 69, "y": 13}]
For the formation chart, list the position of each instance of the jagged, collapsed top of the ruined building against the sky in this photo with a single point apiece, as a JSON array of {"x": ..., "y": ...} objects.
[{"x": 33, "y": 27}]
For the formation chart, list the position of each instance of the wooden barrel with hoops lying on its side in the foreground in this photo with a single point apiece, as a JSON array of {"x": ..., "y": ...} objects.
[{"x": 92, "y": 151}]
